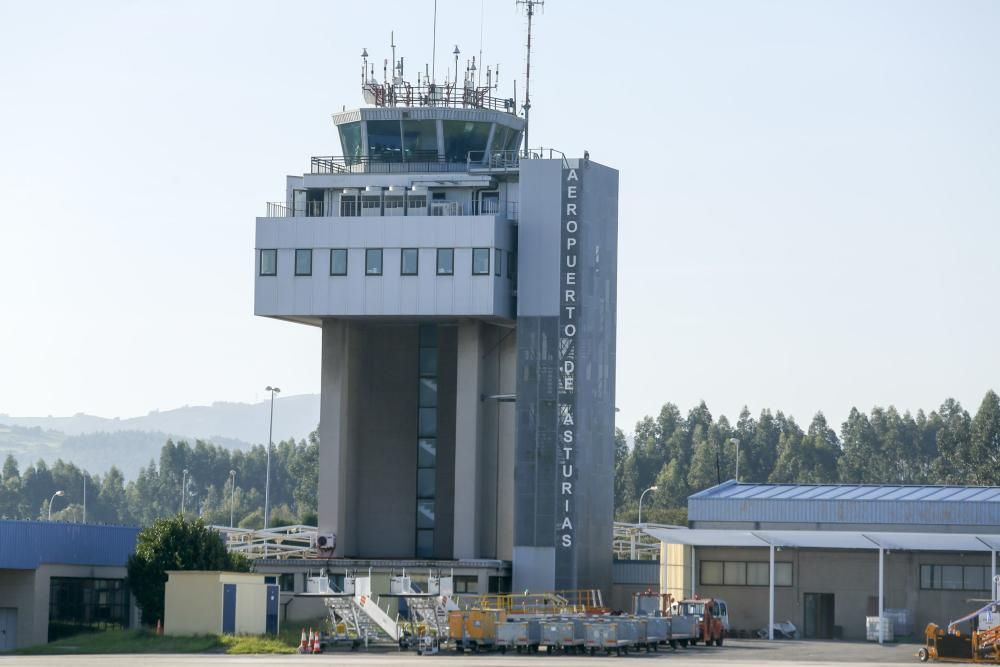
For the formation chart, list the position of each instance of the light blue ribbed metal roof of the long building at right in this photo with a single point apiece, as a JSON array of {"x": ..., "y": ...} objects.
[{"x": 975, "y": 507}]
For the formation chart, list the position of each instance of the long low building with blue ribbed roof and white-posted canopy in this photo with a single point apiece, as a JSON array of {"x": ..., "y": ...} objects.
[{"x": 836, "y": 554}]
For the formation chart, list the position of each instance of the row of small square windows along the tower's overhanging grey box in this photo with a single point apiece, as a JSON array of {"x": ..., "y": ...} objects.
[{"x": 409, "y": 262}]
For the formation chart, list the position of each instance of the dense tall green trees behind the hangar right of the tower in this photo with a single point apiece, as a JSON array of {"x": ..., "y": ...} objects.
[{"x": 682, "y": 455}]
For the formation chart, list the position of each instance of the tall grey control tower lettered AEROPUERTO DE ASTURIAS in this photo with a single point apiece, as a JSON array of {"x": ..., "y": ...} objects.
[{"x": 465, "y": 287}]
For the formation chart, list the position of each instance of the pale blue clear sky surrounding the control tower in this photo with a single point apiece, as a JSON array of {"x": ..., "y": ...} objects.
[{"x": 808, "y": 210}]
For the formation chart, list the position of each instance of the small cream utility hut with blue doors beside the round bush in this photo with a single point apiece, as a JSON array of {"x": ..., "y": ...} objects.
[{"x": 206, "y": 602}]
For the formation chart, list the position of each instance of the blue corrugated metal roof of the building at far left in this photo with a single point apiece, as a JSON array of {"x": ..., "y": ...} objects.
[{"x": 24, "y": 545}]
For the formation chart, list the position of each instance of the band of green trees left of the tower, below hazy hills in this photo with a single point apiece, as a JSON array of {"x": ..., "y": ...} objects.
[{"x": 157, "y": 490}]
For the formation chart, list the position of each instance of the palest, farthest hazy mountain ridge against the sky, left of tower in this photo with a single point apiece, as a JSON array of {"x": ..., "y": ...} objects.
[{"x": 294, "y": 417}]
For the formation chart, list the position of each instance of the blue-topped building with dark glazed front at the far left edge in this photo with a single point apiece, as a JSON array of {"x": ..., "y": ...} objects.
[{"x": 57, "y": 579}]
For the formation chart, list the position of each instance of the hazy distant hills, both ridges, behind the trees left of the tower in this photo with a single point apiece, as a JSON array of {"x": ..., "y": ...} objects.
[{"x": 97, "y": 443}]
